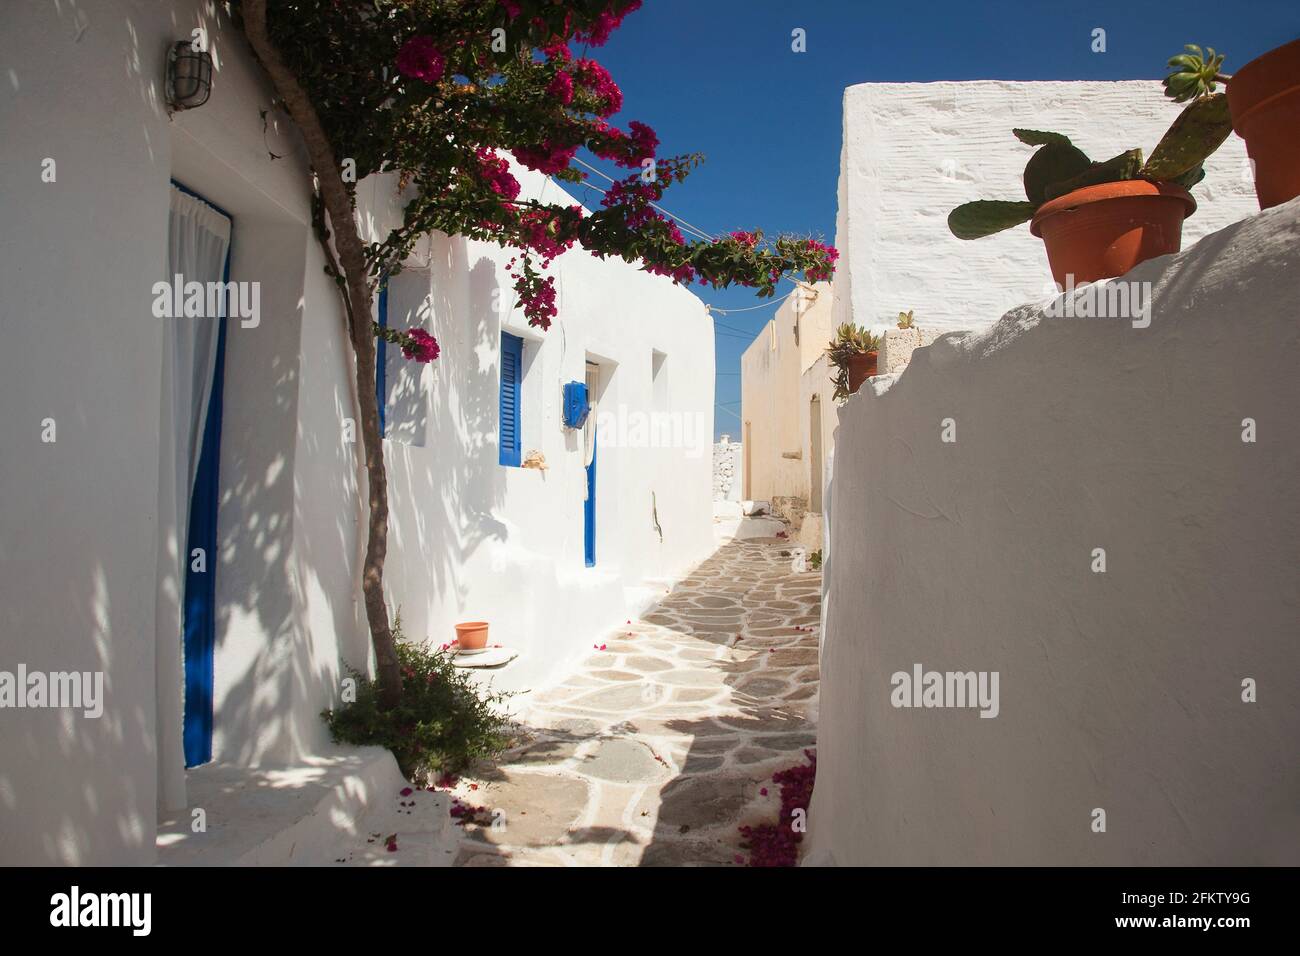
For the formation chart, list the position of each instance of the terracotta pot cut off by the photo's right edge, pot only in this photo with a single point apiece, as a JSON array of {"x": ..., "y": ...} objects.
[{"x": 1264, "y": 98}]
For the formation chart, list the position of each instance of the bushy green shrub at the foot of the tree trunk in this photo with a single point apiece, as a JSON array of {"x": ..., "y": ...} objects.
[{"x": 443, "y": 725}]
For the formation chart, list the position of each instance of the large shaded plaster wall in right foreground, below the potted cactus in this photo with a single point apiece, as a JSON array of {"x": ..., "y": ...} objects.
[{"x": 1124, "y": 690}]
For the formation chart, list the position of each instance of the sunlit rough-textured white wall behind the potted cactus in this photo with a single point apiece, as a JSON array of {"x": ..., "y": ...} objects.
[{"x": 913, "y": 152}]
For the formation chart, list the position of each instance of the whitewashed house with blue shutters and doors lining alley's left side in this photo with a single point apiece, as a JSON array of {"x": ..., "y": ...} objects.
[{"x": 93, "y": 537}]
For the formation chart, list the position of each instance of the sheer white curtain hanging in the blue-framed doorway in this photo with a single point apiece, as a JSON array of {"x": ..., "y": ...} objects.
[{"x": 198, "y": 241}]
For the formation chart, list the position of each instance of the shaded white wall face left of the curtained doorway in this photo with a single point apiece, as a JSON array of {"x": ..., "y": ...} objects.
[{"x": 81, "y": 512}]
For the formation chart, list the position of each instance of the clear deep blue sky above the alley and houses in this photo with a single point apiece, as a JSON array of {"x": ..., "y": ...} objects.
[{"x": 718, "y": 77}]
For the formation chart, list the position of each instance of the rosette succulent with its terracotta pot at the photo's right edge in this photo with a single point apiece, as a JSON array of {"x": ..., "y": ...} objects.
[{"x": 1264, "y": 106}]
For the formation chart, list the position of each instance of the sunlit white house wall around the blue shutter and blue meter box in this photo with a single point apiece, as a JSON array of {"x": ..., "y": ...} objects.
[{"x": 474, "y": 540}]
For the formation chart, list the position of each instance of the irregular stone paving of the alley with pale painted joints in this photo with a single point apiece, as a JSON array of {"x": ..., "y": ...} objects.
[{"x": 657, "y": 749}]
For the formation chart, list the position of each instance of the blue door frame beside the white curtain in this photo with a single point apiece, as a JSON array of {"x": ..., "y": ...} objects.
[{"x": 200, "y": 622}]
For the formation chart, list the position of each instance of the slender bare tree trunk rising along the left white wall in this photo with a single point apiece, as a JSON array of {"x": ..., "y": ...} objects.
[{"x": 352, "y": 259}]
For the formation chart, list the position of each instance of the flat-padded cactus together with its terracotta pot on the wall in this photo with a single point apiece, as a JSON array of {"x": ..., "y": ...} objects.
[{"x": 1099, "y": 220}]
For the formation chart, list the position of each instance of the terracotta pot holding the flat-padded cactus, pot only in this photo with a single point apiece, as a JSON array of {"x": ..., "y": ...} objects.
[{"x": 1102, "y": 232}]
